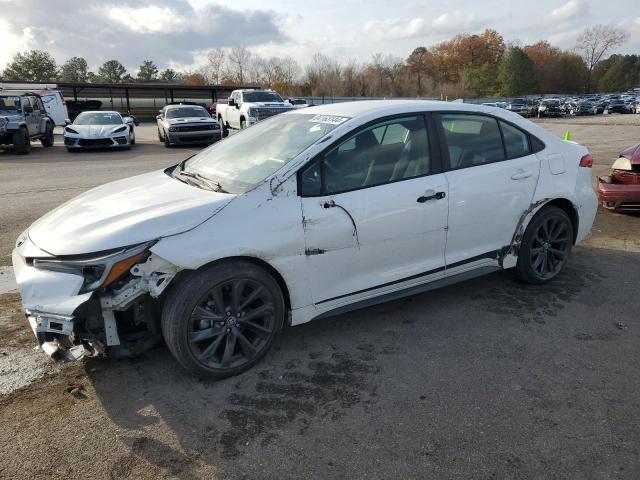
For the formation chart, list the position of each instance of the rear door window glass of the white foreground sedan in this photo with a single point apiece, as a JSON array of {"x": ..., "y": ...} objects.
[{"x": 472, "y": 140}]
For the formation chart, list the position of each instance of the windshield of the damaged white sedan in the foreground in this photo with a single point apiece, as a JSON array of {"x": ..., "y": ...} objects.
[{"x": 242, "y": 161}]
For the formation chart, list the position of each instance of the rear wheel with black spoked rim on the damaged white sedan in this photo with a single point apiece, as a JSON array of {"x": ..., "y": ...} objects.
[{"x": 545, "y": 247}]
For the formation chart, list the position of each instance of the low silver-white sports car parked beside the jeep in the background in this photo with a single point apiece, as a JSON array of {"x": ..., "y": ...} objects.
[{"x": 99, "y": 129}]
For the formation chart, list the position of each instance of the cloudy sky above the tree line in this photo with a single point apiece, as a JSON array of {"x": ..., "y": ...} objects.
[{"x": 177, "y": 33}]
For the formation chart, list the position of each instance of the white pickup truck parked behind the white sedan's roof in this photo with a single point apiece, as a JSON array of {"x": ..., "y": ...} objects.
[{"x": 249, "y": 106}]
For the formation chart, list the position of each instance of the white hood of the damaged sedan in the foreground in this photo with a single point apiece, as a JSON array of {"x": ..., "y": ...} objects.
[{"x": 125, "y": 212}]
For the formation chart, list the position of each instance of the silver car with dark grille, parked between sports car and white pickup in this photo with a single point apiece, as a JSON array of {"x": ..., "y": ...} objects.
[{"x": 183, "y": 124}]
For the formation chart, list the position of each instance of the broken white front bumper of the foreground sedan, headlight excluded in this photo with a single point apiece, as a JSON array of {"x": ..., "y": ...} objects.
[{"x": 69, "y": 325}]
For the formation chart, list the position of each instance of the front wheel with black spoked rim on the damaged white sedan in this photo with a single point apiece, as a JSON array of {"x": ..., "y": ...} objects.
[{"x": 210, "y": 336}]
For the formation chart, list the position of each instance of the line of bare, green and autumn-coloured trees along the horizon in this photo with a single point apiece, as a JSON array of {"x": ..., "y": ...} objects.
[{"x": 479, "y": 65}]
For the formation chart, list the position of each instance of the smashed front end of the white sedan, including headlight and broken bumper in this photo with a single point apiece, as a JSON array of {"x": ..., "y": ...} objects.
[{"x": 89, "y": 306}]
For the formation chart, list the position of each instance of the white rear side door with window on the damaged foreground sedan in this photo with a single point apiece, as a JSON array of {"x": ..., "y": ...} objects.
[{"x": 492, "y": 177}]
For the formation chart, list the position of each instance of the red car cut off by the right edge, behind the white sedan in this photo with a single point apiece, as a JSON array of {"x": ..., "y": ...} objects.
[{"x": 621, "y": 190}]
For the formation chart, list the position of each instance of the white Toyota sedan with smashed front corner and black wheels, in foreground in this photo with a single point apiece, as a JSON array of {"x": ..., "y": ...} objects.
[{"x": 305, "y": 215}]
